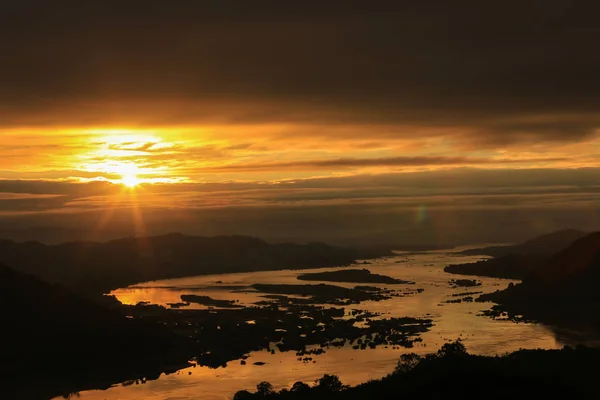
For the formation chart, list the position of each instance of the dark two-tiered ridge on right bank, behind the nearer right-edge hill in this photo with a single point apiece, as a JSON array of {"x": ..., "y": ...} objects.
[{"x": 517, "y": 261}]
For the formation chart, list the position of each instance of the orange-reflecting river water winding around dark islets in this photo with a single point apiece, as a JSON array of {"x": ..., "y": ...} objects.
[{"x": 452, "y": 321}]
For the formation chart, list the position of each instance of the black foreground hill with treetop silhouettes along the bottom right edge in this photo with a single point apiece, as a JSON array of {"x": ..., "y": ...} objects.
[{"x": 452, "y": 373}]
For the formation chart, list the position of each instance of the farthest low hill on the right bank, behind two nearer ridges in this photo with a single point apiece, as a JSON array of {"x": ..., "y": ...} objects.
[{"x": 545, "y": 245}]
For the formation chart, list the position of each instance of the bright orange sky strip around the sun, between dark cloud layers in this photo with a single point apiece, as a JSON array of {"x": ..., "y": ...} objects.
[{"x": 257, "y": 153}]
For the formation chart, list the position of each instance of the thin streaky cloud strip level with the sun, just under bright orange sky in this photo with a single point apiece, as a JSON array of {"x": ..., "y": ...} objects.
[{"x": 445, "y": 180}]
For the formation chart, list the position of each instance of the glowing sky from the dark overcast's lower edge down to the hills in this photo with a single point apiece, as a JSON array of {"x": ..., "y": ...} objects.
[{"x": 100, "y": 183}]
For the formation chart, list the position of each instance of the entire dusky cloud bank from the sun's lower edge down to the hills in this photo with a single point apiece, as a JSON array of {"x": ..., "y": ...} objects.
[{"x": 437, "y": 207}]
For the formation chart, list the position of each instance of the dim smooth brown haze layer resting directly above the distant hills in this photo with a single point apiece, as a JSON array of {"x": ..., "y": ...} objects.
[{"x": 335, "y": 223}]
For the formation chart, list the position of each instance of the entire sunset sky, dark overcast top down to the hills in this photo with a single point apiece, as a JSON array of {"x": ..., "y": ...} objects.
[{"x": 349, "y": 122}]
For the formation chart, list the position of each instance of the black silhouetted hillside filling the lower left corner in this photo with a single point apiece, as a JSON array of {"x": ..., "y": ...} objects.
[{"x": 55, "y": 342}]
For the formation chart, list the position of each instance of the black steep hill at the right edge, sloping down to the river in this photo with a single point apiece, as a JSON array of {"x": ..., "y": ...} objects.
[{"x": 563, "y": 292}]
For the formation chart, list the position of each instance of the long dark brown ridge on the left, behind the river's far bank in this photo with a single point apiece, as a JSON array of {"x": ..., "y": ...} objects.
[{"x": 94, "y": 267}]
